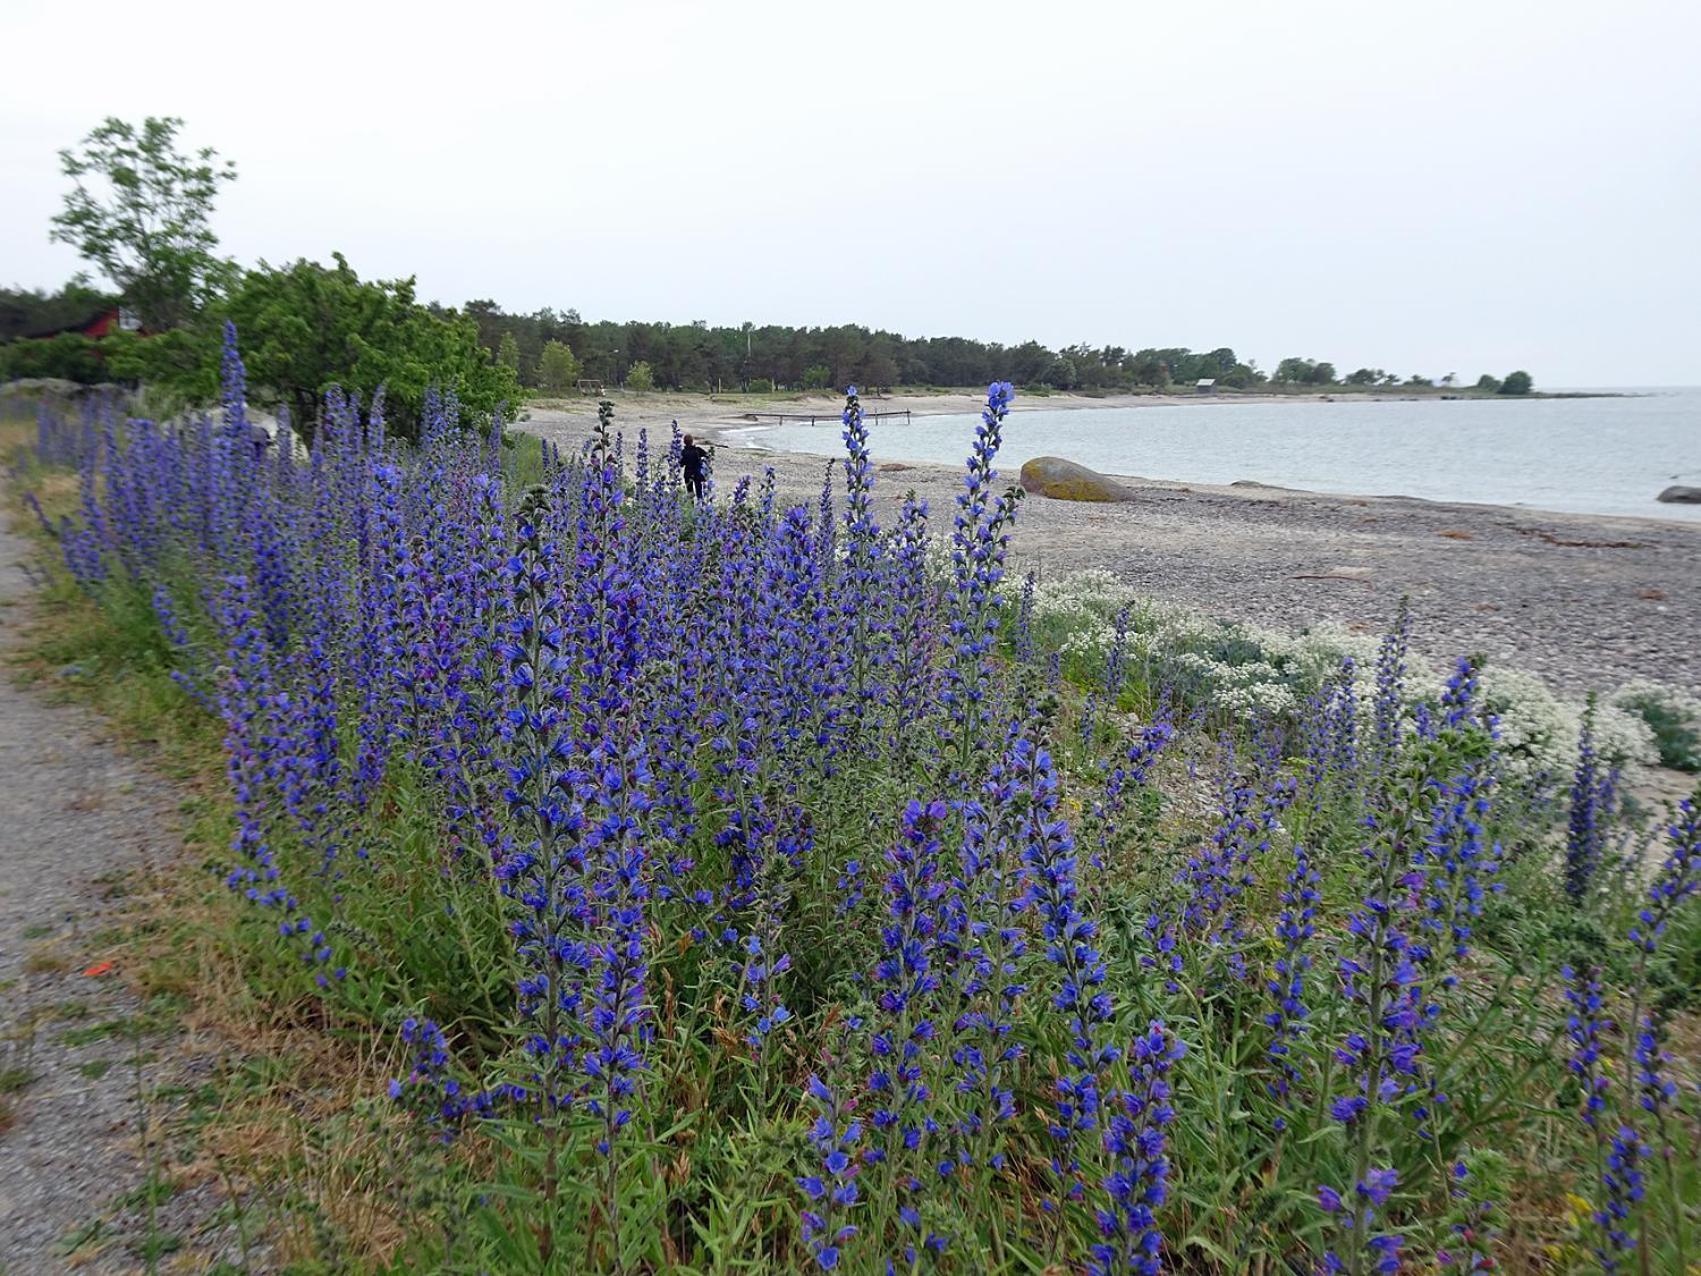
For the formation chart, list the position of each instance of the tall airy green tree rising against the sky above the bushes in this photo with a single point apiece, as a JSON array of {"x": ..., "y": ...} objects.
[{"x": 140, "y": 212}]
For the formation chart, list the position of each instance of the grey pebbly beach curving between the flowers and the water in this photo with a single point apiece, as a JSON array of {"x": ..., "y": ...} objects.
[{"x": 1586, "y": 601}]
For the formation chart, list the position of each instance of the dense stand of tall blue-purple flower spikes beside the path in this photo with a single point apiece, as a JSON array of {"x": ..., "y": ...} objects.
[{"x": 666, "y": 748}]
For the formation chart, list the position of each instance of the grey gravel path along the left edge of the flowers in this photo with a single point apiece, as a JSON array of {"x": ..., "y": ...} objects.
[{"x": 81, "y": 826}]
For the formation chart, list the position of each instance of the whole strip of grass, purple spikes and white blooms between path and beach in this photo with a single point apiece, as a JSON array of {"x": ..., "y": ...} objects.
[{"x": 598, "y": 880}]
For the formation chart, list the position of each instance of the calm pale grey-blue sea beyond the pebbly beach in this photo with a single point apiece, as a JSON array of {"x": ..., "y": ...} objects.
[{"x": 1584, "y": 455}]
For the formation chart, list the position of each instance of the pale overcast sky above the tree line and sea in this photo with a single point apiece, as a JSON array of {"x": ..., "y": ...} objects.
[{"x": 1418, "y": 185}]
